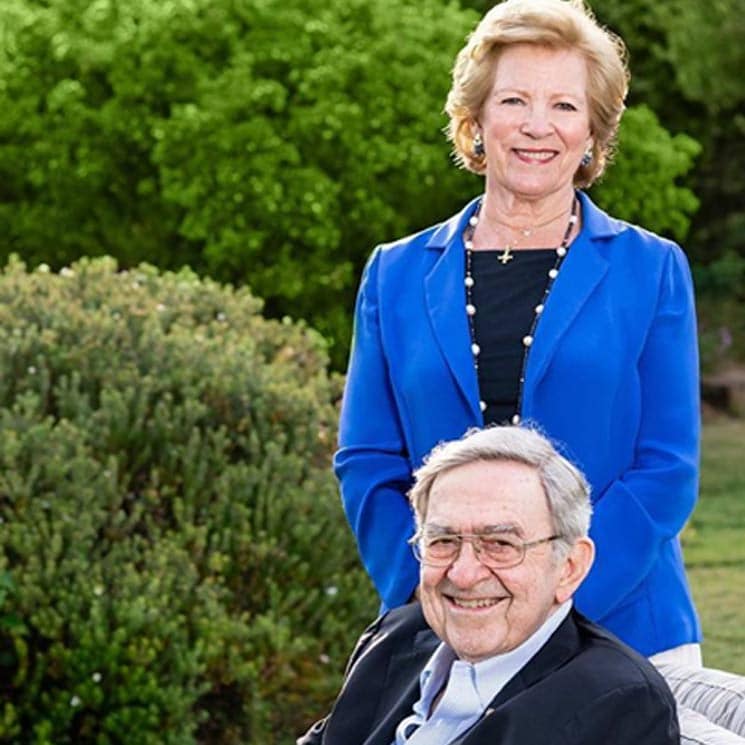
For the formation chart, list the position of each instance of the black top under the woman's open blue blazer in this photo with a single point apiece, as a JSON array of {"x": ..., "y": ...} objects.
[{"x": 505, "y": 296}]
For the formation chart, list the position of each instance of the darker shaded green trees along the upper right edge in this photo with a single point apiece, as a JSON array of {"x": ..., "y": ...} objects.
[{"x": 687, "y": 60}]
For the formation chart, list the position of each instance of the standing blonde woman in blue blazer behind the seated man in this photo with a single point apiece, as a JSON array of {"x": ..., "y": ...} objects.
[{"x": 532, "y": 304}]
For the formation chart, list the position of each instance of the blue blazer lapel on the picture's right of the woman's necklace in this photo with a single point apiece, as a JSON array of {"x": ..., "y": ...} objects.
[{"x": 583, "y": 269}]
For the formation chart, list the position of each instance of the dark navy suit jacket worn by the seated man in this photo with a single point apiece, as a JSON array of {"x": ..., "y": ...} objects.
[{"x": 584, "y": 687}]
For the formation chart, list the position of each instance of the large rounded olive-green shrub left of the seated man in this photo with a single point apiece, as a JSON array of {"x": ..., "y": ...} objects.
[{"x": 174, "y": 564}]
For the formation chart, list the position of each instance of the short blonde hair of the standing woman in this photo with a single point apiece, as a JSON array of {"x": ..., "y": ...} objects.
[{"x": 559, "y": 24}]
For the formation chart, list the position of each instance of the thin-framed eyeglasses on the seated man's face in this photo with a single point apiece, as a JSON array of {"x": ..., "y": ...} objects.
[{"x": 494, "y": 550}]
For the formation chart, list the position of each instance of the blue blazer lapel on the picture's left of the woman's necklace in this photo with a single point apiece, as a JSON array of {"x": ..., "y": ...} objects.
[{"x": 445, "y": 298}]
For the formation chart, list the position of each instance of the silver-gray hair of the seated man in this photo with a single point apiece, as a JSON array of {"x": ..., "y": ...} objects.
[{"x": 566, "y": 489}]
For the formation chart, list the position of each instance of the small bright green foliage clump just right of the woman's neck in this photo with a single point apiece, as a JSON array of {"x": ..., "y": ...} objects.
[{"x": 654, "y": 201}]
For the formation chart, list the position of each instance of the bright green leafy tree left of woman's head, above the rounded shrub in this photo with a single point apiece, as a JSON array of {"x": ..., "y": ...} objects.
[{"x": 269, "y": 142}]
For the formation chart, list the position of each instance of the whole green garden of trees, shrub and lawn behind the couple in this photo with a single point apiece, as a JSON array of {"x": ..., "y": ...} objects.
[{"x": 174, "y": 563}]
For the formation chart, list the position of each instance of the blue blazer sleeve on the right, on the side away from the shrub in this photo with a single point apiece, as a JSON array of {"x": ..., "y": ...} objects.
[{"x": 650, "y": 503}]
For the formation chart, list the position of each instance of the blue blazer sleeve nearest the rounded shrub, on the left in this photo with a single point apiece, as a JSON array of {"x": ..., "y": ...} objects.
[{"x": 372, "y": 463}]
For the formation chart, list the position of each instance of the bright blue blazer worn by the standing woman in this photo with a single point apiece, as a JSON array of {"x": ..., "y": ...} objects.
[{"x": 612, "y": 378}]
